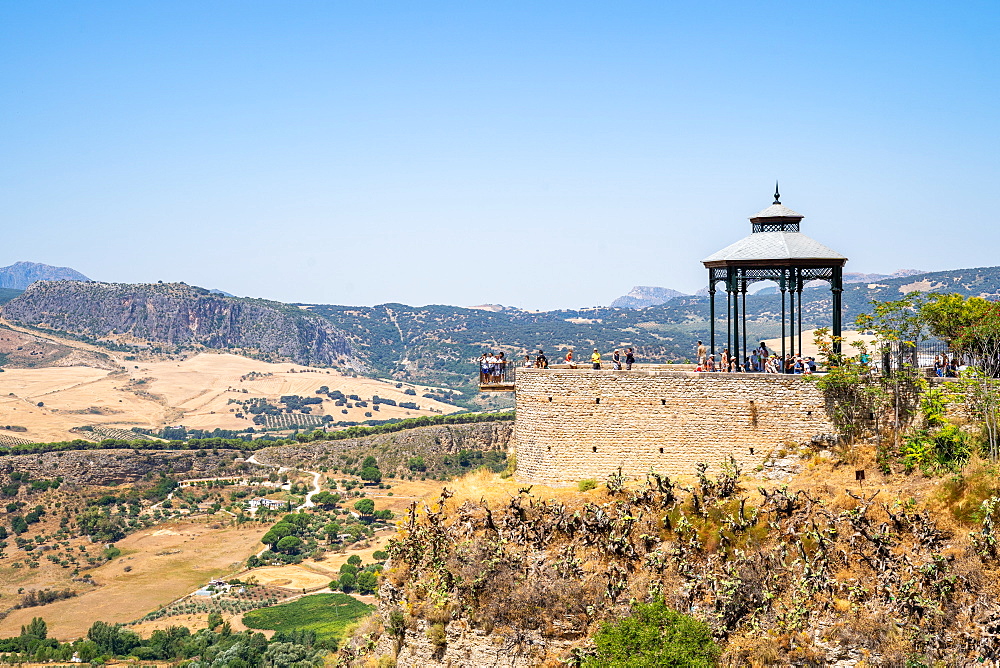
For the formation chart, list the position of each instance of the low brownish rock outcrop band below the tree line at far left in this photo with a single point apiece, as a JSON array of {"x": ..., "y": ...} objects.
[{"x": 105, "y": 467}]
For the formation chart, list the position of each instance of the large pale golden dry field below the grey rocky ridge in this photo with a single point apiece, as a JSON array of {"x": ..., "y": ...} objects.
[{"x": 194, "y": 392}]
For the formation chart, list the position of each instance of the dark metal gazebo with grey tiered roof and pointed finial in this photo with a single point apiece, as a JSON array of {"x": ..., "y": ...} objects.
[{"x": 775, "y": 251}]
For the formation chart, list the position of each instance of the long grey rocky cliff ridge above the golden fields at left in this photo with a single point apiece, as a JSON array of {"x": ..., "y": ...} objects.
[{"x": 180, "y": 314}]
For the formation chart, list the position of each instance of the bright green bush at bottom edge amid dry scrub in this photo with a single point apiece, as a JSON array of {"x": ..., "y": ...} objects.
[{"x": 654, "y": 635}]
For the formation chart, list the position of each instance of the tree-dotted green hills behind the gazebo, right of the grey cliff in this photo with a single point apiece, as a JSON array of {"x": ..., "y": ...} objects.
[{"x": 434, "y": 344}]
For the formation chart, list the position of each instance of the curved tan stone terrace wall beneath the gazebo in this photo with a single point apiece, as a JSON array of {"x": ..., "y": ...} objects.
[{"x": 578, "y": 424}]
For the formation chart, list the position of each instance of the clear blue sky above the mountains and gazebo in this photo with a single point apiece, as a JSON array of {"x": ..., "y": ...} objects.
[{"x": 542, "y": 155}]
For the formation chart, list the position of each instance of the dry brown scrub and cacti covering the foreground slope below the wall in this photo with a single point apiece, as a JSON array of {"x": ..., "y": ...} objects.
[{"x": 812, "y": 572}]
